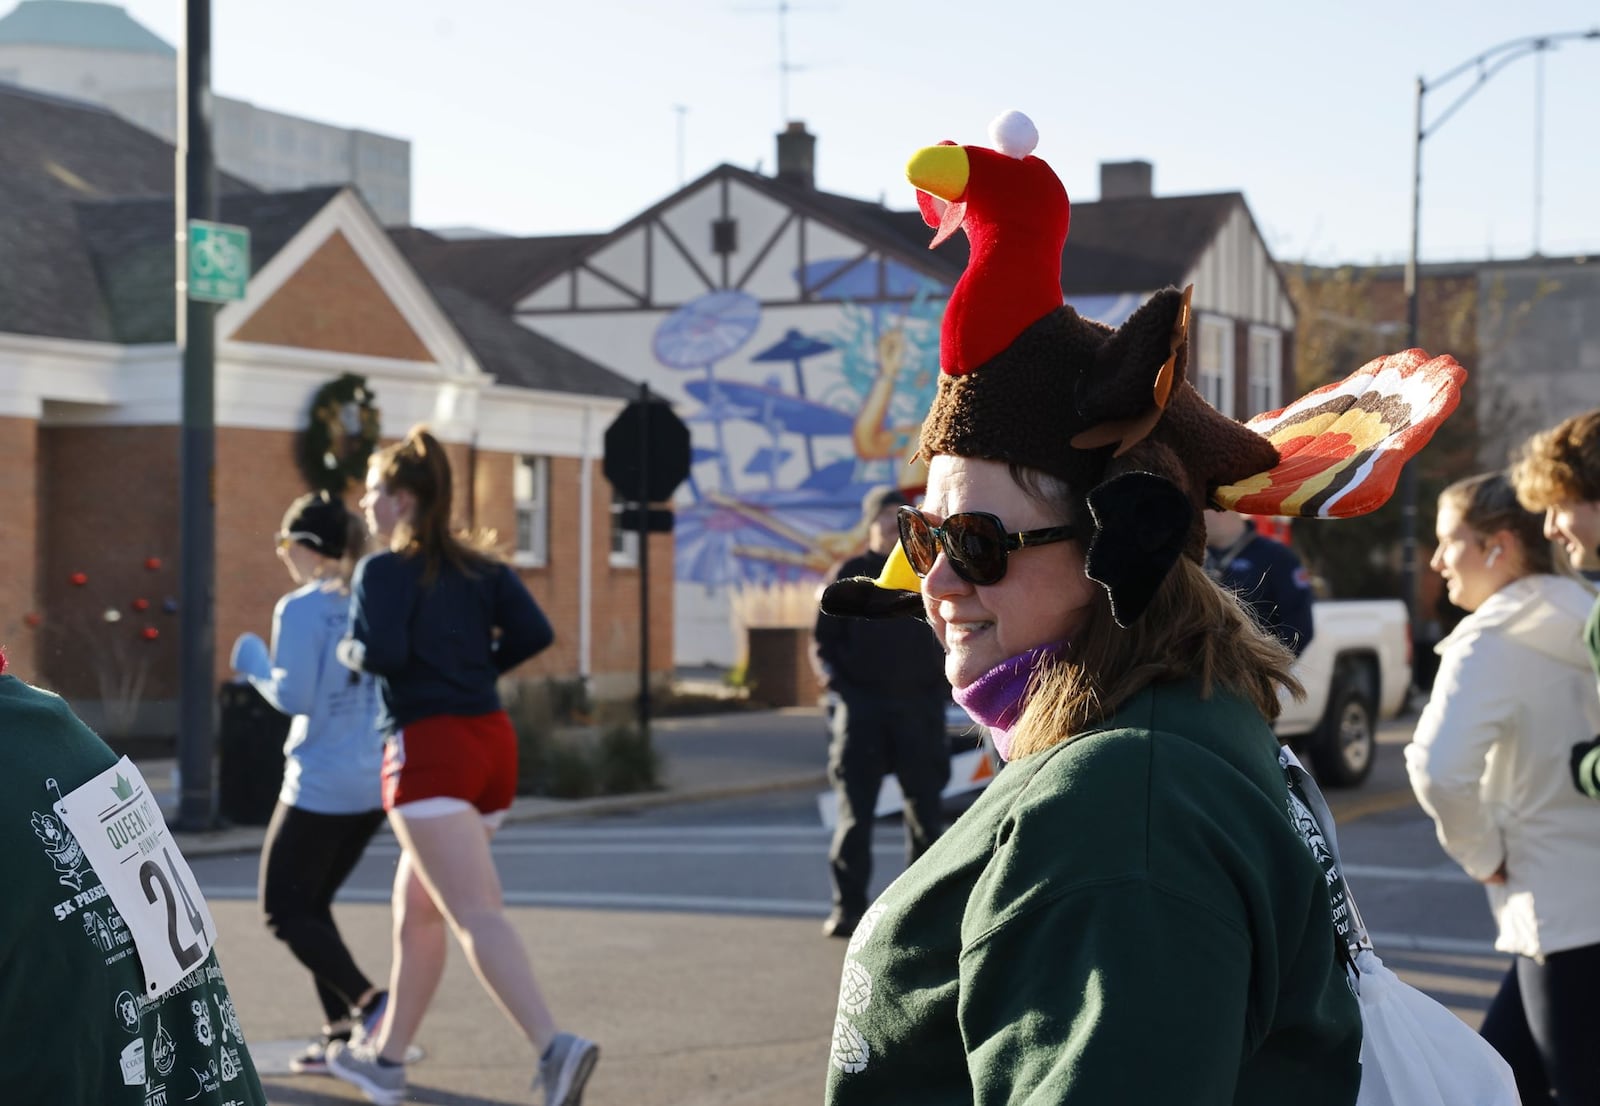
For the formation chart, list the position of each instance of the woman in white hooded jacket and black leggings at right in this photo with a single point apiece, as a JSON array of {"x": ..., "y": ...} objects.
[{"x": 1490, "y": 766}]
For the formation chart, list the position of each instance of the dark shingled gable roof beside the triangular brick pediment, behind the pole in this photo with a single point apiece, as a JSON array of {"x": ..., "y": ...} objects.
[{"x": 130, "y": 246}]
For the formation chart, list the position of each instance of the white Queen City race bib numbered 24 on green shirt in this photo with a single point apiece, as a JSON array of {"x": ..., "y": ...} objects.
[{"x": 121, "y": 830}]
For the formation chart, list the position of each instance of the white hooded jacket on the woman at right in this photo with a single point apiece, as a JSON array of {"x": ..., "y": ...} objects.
[{"x": 1489, "y": 763}]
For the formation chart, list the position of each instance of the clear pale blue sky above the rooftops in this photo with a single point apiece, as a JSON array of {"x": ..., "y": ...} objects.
[{"x": 538, "y": 118}]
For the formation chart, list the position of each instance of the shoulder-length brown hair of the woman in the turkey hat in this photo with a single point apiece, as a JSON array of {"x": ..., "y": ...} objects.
[{"x": 1193, "y": 628}]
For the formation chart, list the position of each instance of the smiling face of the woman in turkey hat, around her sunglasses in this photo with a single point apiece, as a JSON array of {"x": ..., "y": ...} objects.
[{"x": 1042, "y": 598}]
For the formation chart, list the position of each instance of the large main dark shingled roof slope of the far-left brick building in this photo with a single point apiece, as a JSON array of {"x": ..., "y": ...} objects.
[{"x": 60, "y": 154}]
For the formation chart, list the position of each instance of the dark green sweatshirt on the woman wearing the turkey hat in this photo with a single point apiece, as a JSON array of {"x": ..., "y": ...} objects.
[{"x": 1126, "y": 918}]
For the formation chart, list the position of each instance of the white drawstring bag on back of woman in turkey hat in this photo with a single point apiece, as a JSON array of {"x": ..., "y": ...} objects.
[{"x": 1415, "y": 1052}]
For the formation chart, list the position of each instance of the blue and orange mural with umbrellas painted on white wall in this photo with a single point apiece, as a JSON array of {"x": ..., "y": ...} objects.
[{"x": 791, "y": 435}]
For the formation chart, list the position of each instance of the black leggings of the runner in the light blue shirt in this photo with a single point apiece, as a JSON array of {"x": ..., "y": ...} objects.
[{"x": 305, "y": 860}]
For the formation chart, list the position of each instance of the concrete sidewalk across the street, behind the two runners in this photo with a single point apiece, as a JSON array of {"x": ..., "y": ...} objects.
[{"x": 703, "y": 758}]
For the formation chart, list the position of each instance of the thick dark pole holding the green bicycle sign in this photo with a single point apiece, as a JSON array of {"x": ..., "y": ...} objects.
[{"x": 196, "y": 199}]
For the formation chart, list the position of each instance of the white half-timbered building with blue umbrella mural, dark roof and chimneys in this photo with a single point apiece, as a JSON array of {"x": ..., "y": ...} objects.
[{"x": 798, "y": 332}]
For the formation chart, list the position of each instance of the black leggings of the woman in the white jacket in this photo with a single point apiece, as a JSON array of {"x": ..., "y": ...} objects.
[{"x": 1545, "y": 1022}]
